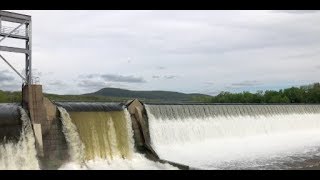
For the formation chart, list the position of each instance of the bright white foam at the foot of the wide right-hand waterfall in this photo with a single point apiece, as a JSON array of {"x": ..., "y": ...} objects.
[{"x": 259, "y": 152}]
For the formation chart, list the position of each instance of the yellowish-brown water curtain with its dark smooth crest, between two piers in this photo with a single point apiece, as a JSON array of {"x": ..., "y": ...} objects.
[{"x": 104, "y": 129}]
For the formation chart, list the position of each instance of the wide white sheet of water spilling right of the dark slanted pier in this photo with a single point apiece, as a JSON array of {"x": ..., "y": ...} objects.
[{"x": 237, "y": 136}]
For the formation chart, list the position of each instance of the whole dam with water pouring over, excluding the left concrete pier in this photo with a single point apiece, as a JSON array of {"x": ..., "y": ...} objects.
[{"x": 167, "y": 136}]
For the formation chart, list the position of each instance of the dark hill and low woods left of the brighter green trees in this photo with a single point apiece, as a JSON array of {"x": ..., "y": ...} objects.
[{"x": 112, "y": 95}]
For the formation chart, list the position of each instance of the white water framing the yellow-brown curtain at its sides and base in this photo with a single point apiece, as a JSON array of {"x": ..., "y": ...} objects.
[{"x": 135, "y": 161}]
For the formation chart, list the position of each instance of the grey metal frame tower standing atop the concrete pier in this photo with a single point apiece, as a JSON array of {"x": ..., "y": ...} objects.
[{"x": 22, "y": 32}]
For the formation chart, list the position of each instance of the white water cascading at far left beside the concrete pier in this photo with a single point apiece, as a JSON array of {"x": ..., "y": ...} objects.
[{"x": 20, "y": 155}]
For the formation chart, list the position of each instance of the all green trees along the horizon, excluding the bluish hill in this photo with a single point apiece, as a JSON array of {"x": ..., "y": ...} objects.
[{"x": 302, "y": 94}]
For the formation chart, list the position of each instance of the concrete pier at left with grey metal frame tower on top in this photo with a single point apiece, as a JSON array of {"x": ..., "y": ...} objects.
[{"x": 42, "y": 112}]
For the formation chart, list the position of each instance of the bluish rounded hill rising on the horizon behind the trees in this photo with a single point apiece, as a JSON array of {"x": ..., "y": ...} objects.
[{"x": 167, "y": 96}]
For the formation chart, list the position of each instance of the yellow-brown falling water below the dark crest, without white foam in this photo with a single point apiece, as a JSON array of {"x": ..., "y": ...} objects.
[{"x": 104, "y": 134}]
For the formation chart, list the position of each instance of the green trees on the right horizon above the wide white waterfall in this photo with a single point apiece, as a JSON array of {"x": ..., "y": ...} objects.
[{"x": 302, "y": 94}]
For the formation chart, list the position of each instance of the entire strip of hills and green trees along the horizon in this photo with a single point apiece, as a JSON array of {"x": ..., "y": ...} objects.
[{"x": 303, "y": 94}]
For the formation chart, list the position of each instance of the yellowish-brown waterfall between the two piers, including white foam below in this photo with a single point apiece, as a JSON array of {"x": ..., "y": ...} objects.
[{"x": 102, "y": 140}]
